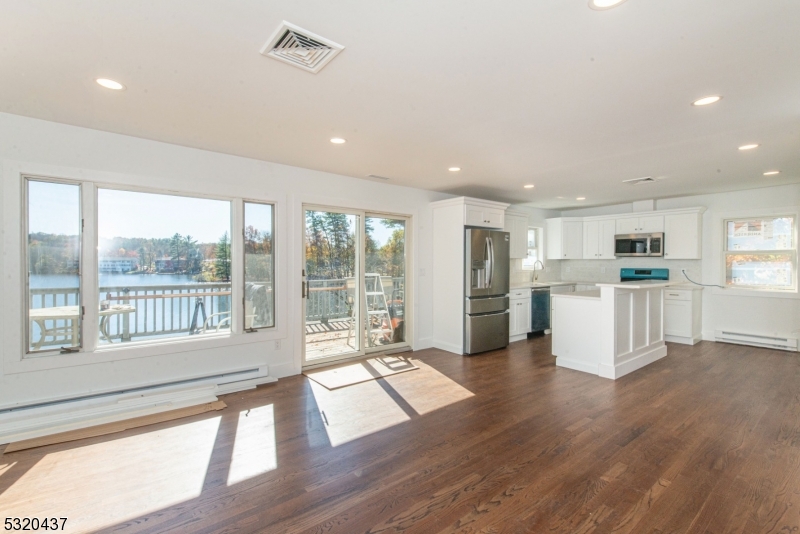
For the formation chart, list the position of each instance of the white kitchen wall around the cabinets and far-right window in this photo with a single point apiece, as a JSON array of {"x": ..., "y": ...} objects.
[{"x": 722, "y": 309}]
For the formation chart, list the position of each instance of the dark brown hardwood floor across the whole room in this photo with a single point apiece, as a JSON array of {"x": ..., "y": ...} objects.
[{"x": 707, "y": 440}]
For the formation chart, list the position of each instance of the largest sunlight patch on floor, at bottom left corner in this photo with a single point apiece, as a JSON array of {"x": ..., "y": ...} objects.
[{"x": 118, "y": 479}]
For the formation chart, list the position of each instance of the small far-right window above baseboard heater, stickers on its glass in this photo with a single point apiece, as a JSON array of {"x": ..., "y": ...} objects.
[{"x": 761, "y": 253}]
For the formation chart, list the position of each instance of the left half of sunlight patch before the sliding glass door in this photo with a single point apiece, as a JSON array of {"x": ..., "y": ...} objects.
[{"x": 355, "y": 411}]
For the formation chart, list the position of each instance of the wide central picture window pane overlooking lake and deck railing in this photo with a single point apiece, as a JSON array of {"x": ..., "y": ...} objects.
[{"x": 164, "y": 266}]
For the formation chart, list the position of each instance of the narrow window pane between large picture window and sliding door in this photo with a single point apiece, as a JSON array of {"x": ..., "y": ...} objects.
[{"x": 259, "y": 266}]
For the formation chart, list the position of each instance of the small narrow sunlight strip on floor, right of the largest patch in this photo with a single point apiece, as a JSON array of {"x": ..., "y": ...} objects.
[{"x": 254, "y": 449}]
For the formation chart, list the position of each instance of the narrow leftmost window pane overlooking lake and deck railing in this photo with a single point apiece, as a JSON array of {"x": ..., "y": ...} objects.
[{"x": 53, "y": 252}]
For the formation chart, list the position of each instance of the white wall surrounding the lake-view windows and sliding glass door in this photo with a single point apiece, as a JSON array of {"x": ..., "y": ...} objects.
[{"x": 51, "y": 149}]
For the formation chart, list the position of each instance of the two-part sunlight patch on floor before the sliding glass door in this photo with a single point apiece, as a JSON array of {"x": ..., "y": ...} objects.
[{"x": 355, "y": 411}]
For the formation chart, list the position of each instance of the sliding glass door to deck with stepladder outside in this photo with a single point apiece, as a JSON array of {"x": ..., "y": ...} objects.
[{"x": 354, "y": 283}]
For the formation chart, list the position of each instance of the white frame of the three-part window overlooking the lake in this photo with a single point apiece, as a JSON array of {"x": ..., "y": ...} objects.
[{"x": 15, "y": 357}]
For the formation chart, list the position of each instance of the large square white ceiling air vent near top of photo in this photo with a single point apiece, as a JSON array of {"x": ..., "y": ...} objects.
[{"x": 303, "y": 49}]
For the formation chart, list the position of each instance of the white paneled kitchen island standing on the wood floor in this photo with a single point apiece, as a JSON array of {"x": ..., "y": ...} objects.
[{"x": 610, "y": 331}]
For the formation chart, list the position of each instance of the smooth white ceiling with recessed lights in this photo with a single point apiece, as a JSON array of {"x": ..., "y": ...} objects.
[{"x": 549, "y": 93}]
